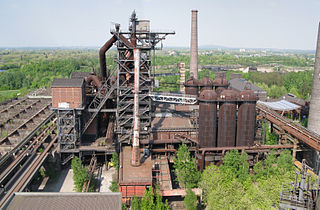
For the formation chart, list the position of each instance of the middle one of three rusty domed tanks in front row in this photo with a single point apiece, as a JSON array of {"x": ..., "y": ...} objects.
[{"x": 227, "y": 118}]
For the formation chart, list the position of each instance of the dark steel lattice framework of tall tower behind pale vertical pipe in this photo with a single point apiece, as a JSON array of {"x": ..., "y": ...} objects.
[{"x": 127, "y": 42}]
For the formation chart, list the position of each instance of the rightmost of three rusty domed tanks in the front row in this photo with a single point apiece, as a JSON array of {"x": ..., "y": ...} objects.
[{"x": 246, "y": 118}]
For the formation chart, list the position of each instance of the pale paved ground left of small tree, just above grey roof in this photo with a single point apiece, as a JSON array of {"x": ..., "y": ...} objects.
[{"x": 64, "y": 182}]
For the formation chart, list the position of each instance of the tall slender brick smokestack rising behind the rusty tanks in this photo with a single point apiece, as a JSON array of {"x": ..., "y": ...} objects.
[{"x": 194, "y": 45}]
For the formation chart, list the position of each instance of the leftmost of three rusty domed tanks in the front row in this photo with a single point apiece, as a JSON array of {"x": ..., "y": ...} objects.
[{"x": 207, "y": 118}]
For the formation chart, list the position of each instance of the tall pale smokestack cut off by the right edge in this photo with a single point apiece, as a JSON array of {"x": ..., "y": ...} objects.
[{"x": 314, "y": 113}]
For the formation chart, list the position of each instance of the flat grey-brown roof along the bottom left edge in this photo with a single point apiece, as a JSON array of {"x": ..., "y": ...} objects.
[{"x": 68, "y": 201}]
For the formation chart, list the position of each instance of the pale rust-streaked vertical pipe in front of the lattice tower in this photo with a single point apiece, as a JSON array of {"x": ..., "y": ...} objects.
[{"x": 135, "y": 158}]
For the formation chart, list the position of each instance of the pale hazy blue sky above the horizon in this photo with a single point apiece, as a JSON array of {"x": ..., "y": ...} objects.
[{"x": 280, "y": 24}]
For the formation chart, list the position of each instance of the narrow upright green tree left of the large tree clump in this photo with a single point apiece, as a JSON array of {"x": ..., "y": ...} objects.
[{"x": 186, "y": 168}]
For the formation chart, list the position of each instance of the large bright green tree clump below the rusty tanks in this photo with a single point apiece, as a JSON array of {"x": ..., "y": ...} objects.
[{"x": 231, "y": 186}]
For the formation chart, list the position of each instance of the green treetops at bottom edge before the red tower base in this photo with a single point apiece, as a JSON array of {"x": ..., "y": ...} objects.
[{"x": 151, "y": 201}]
